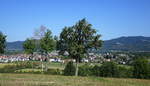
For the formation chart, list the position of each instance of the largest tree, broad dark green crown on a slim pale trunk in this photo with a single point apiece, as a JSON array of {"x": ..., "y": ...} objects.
[{"x": 78, "y": 39}]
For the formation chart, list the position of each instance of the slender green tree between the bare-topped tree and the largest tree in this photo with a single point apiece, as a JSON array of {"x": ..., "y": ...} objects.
[{"x": 47, "y": 44}]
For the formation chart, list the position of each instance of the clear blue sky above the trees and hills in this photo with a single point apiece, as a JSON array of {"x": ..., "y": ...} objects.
[{"x": 111, "y": 18}]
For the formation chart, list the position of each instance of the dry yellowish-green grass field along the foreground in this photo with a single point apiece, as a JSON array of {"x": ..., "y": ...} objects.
[{"x": 55, "y": 80}]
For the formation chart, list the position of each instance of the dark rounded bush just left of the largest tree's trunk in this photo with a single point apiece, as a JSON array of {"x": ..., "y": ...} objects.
[{"x": 69, "y": 69}]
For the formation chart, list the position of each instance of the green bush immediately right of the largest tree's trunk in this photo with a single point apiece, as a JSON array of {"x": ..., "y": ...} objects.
[{"x": 85, "y": 70}]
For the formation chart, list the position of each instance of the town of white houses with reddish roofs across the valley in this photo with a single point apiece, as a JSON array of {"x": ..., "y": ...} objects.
[{"x": 92, "y": 57}]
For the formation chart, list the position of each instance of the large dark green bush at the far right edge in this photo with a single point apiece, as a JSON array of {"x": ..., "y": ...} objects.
[{"x": 141, "y": 68}]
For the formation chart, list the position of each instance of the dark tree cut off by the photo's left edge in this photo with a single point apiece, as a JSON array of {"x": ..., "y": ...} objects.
[{"x": 2, "y": 43}]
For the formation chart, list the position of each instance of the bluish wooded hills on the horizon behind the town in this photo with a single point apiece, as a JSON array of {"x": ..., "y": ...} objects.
[{"x": 130, "y": 43}]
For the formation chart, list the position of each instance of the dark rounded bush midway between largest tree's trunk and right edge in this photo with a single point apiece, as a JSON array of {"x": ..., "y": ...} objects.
[{"x": 109, "y": 69}]
